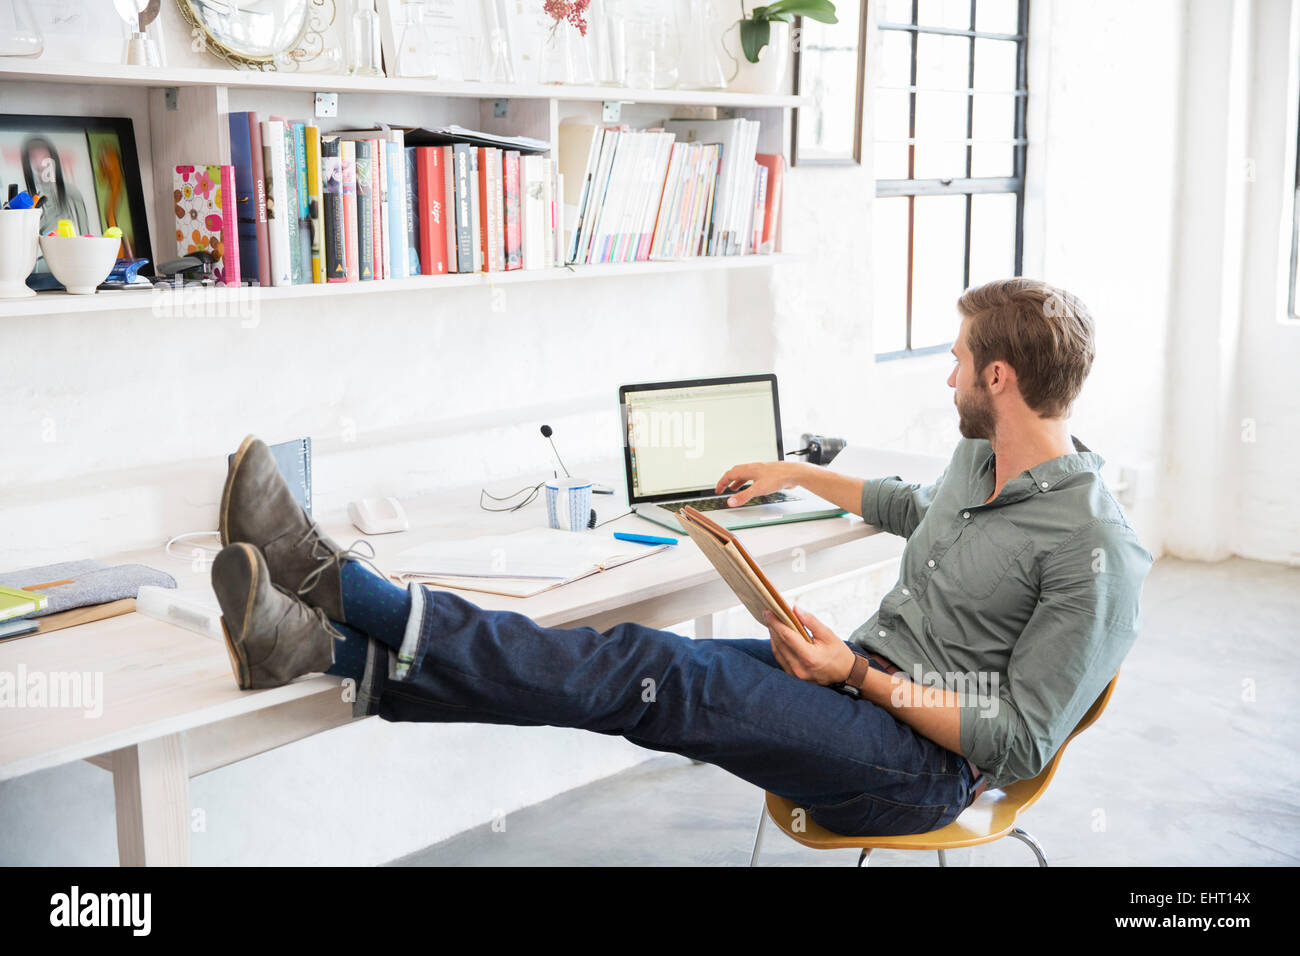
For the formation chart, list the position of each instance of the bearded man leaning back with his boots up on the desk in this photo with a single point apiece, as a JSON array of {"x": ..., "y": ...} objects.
[{"x": 1016, "y": 605}]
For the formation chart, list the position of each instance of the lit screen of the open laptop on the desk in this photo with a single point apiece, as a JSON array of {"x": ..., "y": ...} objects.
[{"x": 682, "y": 438}]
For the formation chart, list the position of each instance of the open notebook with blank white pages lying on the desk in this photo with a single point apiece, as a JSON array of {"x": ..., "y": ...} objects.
[{"x": 519, "y": 565}]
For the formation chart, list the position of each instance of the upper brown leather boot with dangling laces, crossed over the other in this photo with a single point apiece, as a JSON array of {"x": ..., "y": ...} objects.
[{"x": 258, "y": 508}]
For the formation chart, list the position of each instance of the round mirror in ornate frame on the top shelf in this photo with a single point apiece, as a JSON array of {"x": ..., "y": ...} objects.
[{"x": 249, "y": 33}]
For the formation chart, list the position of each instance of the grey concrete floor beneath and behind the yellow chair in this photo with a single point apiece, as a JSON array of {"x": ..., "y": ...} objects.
[{"x": 1193, "y": 764}]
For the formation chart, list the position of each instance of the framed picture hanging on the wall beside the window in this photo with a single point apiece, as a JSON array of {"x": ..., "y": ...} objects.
[{"x": 830, "y": 68}]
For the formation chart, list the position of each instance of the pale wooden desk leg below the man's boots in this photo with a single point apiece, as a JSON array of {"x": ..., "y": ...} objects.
[{"x": 151, "y": 788}]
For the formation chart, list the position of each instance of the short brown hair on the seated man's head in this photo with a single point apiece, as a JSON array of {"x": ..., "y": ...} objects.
[{"x": 1043, "y": 332}]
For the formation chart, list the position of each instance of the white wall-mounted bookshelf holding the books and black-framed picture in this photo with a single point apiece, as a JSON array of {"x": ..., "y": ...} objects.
[{"x": 180, "y": 116}]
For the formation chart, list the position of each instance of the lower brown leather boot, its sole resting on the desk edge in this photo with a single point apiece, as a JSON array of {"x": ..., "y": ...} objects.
[{"x": 271, "y": 635}]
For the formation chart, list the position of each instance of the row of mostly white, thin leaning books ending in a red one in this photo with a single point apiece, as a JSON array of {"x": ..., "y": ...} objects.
[{"x": 688, "y": 189}]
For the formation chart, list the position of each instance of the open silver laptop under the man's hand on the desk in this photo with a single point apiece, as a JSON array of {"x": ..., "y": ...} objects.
[{"x": 679, "y": 438}]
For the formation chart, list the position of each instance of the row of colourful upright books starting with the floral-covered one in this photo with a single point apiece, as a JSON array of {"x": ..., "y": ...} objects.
[{"x": 301, "y": 206}]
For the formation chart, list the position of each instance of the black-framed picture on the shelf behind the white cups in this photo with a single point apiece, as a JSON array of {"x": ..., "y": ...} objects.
[{"x": 89, "y": 174}]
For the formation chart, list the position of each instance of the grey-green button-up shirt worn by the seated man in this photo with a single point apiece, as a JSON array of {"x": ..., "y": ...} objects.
[{"x": 1025, "y": 607}]
